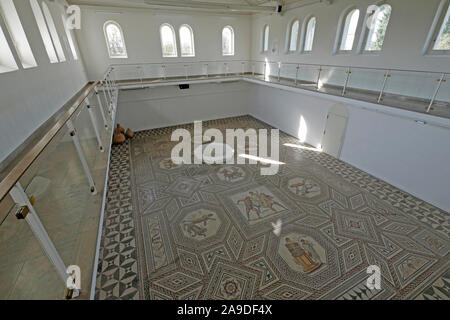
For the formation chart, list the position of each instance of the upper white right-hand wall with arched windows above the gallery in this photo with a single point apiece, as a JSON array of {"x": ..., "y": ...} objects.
[{"x": 406, "y": 35}]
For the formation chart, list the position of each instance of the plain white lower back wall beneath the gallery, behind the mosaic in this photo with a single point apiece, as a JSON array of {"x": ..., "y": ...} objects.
[{"x": 158, "y": 107}]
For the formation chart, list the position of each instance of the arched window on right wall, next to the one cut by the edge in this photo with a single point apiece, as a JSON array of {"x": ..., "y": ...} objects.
[{"x": 378, "y": 27}]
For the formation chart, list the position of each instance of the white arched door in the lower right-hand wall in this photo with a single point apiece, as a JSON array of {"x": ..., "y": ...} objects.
[{"x": 334, "y": 134}]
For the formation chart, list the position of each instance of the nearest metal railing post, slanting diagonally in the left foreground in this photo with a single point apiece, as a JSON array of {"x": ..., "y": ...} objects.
[{"x": 21, "y": 199}]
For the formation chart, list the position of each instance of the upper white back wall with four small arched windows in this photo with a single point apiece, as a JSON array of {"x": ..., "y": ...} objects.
[{"x": 141, "y": 33}]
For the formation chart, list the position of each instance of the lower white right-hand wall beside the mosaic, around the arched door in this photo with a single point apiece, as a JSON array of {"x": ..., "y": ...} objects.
[{"x": 396, "y": 149}]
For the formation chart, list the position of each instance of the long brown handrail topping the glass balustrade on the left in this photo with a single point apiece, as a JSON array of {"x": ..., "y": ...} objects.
[{"x": 18, "y": 170}]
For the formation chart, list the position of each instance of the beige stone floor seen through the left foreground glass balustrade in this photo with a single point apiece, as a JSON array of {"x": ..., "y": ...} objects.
[{"x": 67, "y": 209}]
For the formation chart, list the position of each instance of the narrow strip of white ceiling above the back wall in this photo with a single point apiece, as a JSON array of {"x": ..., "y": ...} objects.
[{"x": 236, "y": 6}]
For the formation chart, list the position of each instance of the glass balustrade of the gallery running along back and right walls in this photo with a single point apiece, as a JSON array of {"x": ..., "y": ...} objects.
[{"x": 410, "y": 90}]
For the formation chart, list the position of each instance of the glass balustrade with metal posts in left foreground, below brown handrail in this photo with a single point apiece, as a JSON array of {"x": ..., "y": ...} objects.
[{"x": 49, "y": 220}]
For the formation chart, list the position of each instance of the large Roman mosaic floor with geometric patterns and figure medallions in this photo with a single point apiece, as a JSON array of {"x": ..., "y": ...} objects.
[{"x": 206, "y": 231}]
